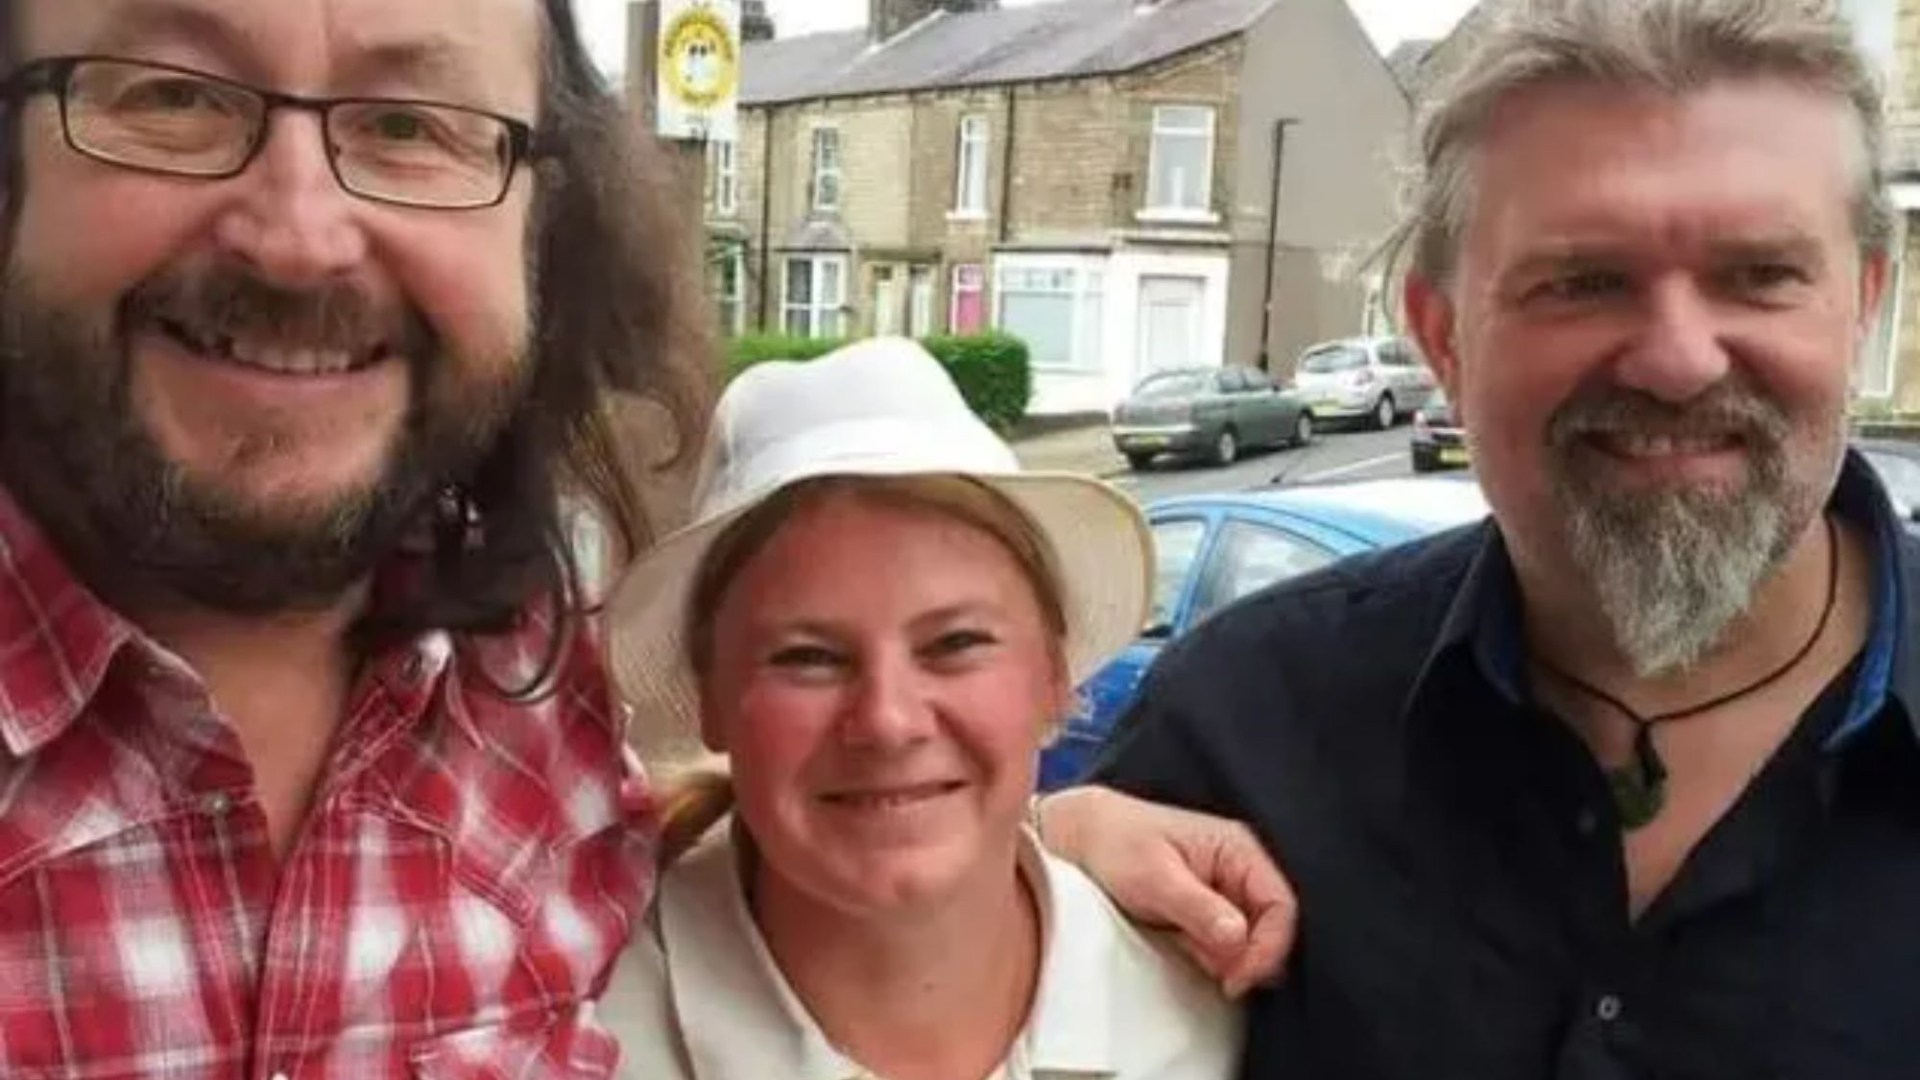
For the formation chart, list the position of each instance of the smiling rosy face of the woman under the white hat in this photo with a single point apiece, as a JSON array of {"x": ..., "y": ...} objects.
[{"x": 882, "y": 677}]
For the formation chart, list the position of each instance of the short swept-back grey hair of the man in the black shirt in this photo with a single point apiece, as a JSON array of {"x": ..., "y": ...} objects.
[{"x": 1671, "y": 47}]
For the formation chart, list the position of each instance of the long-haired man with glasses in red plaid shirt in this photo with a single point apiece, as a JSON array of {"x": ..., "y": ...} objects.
[{"x": 310, "y": 316}]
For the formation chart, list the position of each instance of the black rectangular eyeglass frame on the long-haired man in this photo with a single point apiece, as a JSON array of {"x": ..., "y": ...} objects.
[{"x": 55, "y": 76}]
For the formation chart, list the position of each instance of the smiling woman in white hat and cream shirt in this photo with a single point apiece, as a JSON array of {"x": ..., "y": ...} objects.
[{"x": 878, "y": 620}]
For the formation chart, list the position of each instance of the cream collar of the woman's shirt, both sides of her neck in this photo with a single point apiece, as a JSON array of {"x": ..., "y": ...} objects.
[{"x": 740, "y": 1018}]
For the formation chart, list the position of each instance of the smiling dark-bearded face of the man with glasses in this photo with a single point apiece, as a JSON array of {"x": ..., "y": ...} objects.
[{"x": 252, "y": 385}]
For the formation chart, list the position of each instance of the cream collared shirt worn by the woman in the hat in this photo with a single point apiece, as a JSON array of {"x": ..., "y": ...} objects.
[{"x": 698, "y": 994}]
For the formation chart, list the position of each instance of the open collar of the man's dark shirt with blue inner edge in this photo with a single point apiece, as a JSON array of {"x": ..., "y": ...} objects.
[{"x": 1483, "y": 622}]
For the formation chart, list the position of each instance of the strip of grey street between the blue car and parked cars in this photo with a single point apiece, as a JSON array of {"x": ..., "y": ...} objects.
[{"x": 1332, "y": 456}]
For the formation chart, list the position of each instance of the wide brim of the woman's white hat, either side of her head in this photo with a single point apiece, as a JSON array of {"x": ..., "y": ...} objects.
[{"x": 1101, "y": 545}]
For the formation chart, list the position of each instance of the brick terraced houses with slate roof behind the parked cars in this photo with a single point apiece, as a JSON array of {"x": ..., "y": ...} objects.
[{"x": 1095, "y": 176}]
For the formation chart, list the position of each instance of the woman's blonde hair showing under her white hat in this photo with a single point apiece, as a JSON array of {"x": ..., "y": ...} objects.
[{"x": 696, "y": 795}]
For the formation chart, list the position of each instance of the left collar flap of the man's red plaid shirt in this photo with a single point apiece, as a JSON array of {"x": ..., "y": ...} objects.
[{"x": 57, "y": 637}]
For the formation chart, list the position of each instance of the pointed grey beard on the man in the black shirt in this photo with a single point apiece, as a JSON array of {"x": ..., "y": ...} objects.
[{"x": 1673, "y": 574}]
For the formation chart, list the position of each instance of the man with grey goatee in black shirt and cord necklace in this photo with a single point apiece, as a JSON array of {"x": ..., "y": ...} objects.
[{"x": 1625, "y": 781}]
